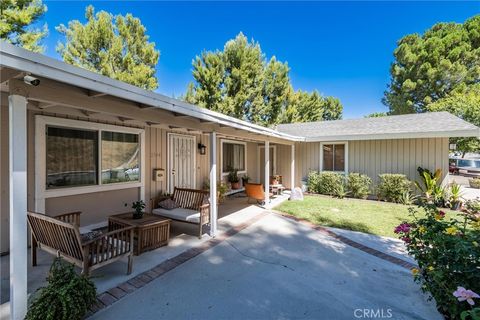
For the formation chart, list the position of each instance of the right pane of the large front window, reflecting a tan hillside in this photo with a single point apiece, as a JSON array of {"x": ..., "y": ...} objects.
[{"x": 120, "y": 157}]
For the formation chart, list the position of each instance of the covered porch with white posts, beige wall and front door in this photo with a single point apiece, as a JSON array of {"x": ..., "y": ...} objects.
[{"x": 165, "y": 143}]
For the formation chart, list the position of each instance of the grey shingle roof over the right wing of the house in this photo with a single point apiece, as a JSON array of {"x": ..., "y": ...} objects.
[{"x": 424, "y": 125}]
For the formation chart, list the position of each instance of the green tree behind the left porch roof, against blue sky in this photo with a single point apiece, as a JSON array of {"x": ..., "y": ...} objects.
[{"x": 116, "y": 47}]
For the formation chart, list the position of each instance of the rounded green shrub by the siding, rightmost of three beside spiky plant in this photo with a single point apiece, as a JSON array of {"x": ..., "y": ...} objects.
[{"x": 392, "y": 187}]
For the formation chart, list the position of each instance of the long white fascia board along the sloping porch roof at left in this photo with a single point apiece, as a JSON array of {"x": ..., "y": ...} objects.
[{"x": 40, "y": 65}]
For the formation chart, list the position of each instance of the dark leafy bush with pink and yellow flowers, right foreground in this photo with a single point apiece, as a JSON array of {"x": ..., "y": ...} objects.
[{"x": 448, "y": 256}]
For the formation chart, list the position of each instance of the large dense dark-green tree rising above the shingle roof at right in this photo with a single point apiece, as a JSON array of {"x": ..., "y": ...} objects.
[{"x": 430, "y": 67}]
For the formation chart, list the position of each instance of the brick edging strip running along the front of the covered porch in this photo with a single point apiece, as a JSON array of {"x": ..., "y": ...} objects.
[{"x": 115, "y": 294}]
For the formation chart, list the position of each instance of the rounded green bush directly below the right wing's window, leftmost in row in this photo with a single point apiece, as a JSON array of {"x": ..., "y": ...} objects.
[{"x": 329, "y": 183}]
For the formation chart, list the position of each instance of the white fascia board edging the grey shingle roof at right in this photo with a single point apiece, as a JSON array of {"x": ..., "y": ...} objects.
[{"x": 407, "y": 135}]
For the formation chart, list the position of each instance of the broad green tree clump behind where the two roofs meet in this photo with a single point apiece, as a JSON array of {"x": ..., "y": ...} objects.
[{"x": 241, "y": 82}]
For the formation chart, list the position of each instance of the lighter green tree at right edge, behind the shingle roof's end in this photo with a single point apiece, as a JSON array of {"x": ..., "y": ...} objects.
[{"x": 466, "y": 105}]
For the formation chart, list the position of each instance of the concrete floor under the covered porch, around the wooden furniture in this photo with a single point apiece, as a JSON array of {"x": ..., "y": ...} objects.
[{"x": 234, "y": 211}]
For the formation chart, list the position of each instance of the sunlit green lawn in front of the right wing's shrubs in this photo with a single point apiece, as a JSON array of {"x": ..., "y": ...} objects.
[{"x": 367, "y": 216}]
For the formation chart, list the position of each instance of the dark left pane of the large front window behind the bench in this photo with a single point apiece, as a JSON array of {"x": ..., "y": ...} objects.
[{"x": 72, "y": 157}]
